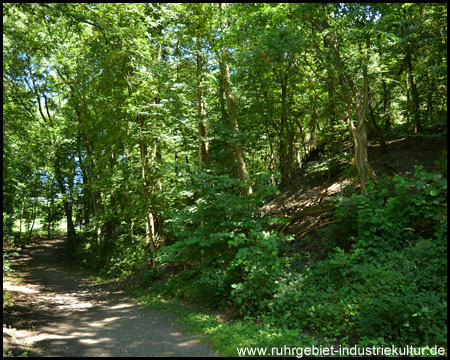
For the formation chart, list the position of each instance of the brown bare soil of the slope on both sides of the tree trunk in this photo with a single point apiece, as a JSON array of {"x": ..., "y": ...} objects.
[{"x": 310, "y": 186}]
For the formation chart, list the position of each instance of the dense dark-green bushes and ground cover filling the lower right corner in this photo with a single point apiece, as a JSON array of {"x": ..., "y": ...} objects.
[{"x": 391, "y": 283}]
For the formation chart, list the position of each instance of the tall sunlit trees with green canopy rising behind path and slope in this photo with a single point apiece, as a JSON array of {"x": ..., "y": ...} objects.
[{"x": 163, "y": 127}]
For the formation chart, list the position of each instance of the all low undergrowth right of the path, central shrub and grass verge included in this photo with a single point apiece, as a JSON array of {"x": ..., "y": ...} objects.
[{"x": 384, "y": 282}]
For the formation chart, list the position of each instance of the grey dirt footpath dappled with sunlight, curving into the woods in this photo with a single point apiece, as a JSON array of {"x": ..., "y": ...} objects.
[{"x": 58, "y": 312}]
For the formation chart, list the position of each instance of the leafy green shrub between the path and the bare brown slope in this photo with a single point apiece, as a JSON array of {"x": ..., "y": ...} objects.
[{"x": 229, "y": 256}]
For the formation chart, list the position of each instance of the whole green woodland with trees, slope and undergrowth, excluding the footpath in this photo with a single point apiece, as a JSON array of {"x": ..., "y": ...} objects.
[{"x": 281, "y": 164}]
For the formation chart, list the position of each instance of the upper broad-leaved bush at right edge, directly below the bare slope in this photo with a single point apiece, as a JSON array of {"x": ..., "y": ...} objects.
[{"x": 394, "y": 213}]
